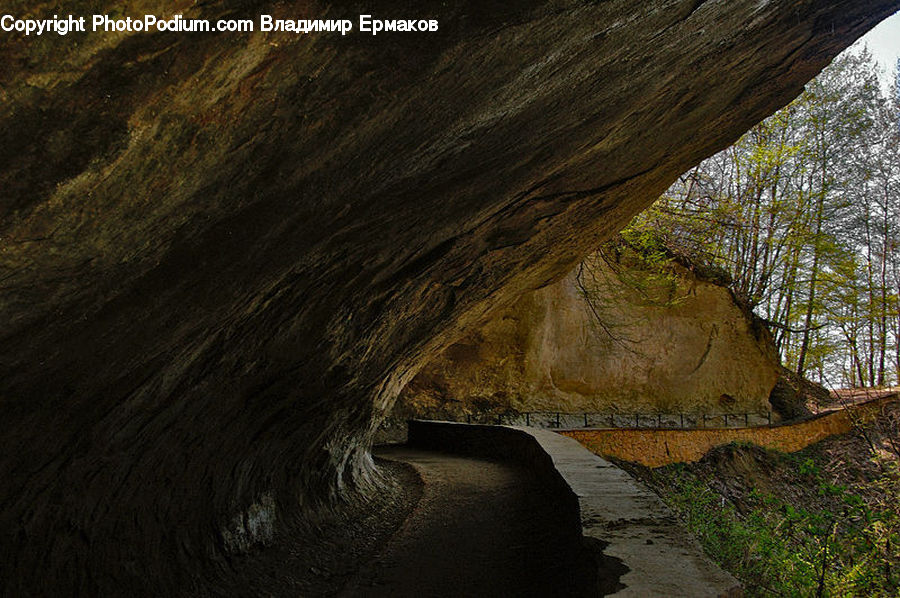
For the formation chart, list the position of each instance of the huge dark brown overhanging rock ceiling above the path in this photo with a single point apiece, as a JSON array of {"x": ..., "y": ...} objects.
[{"x": 222, "y": 256}]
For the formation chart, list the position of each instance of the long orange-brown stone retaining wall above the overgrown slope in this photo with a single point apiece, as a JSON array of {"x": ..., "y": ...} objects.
[{"x": 658, "y": 447}]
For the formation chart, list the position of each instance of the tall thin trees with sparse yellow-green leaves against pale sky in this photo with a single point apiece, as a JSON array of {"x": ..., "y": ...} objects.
[{"x": 803, "y": 213}]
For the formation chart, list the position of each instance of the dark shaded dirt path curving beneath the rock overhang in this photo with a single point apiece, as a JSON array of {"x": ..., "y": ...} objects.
[{"x": 481, "y": 529}]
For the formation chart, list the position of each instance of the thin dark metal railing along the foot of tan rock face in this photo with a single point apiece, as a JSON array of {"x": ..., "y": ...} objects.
[{"x": 619, "y": 419}]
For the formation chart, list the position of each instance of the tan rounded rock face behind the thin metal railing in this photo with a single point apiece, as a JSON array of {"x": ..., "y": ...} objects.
[{"x": 615, "y": 333}]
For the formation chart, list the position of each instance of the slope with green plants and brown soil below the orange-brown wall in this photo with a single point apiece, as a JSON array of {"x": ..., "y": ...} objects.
[{"x": 822, "y": 522}]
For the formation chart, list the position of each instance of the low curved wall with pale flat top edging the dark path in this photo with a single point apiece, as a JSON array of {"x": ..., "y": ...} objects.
[{"x": 639, "y": 548}]
